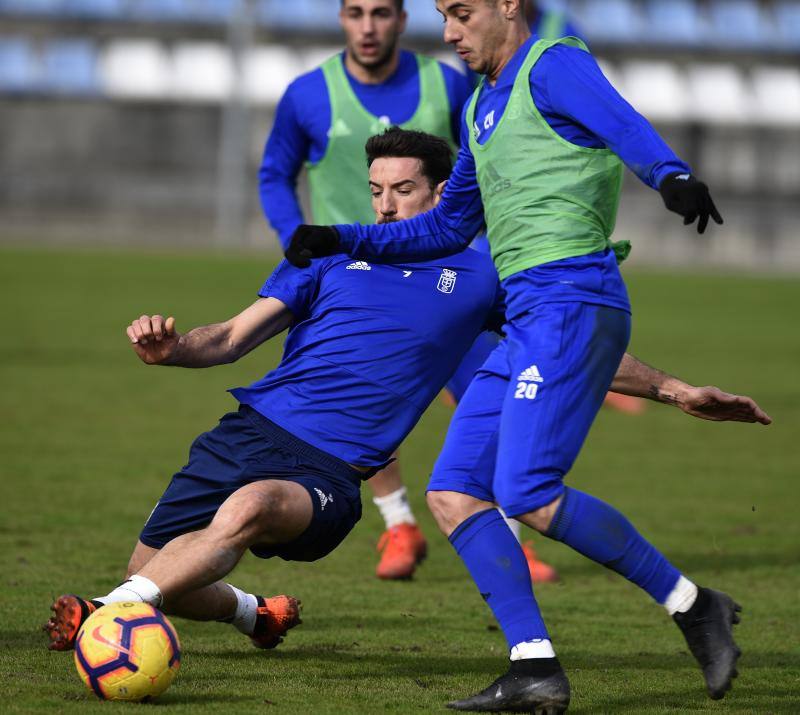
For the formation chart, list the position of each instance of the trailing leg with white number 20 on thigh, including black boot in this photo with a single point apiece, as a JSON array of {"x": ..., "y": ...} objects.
[{"x": 542, "y": 431}]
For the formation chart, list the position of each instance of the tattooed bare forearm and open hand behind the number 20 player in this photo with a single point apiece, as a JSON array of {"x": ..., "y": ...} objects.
[{"x": 709, "y": 403}]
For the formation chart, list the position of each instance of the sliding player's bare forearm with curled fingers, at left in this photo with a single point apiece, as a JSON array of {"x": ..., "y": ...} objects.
[{"x": 156, "y": 341}]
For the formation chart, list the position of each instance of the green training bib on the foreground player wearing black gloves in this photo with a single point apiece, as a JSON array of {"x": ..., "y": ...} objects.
[{"x": 544, "y": 198}]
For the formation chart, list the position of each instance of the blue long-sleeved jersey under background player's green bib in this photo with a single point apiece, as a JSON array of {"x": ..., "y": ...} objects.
[{"x": 303, "y": 119}]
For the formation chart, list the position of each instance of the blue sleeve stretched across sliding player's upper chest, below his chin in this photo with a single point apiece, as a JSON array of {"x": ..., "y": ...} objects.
[{"x": 445, "y": 230}]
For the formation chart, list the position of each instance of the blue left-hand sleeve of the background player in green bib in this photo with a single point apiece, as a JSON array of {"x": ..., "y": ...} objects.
[{"x": 286, "y": 150}]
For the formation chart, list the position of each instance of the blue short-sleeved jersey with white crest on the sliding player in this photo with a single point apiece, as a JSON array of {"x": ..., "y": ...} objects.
[{"x": 370, "y": 347}]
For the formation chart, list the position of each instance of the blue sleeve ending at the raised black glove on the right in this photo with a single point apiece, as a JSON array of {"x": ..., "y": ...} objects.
[{"x": 567, "y": 82}]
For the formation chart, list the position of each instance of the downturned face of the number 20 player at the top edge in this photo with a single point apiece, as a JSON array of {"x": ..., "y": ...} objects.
[{"x": 477, "y": 29}]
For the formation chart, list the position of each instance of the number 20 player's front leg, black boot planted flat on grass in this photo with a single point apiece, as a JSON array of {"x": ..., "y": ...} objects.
[{"x": 461, "y": 499}]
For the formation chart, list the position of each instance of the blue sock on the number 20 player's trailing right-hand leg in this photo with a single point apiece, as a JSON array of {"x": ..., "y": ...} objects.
[{"x": 600, "y": 532}]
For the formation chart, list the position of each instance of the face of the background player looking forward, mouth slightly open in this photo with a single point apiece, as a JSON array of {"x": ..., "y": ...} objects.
[{"x": 372, "y": 29}]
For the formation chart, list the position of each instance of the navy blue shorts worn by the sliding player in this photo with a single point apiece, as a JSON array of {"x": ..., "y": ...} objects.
[{"x": 246, "y": 447}]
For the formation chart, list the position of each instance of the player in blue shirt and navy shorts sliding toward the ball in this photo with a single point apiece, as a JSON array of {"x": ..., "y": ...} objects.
[{"x": 281, "y": 476}]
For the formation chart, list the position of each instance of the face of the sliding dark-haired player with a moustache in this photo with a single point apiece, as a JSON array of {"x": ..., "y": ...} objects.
[{"x": 400, "y": 190}]
